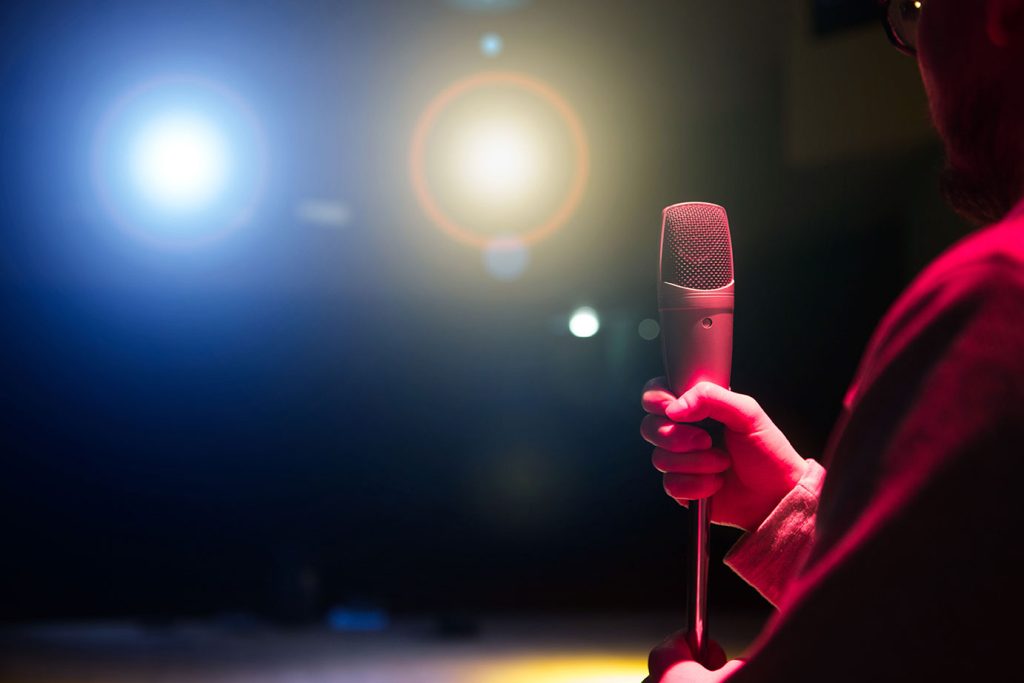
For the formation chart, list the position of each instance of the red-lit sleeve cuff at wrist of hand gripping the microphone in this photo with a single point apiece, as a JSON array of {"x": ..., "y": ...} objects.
[{"x": 769, "y": 558}]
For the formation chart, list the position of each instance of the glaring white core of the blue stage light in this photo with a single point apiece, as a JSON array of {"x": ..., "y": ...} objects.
[{"x": 181, "y": 161}]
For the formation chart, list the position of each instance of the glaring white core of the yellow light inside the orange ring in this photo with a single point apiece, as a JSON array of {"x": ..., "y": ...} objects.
[{"x": 498, "y": 161}]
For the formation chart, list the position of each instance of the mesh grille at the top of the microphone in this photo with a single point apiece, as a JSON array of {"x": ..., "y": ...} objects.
[{"x": 697, "y": 251}]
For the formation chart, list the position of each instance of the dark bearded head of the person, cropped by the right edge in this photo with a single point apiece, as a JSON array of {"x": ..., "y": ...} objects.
[{"x": 971, "y": 57}]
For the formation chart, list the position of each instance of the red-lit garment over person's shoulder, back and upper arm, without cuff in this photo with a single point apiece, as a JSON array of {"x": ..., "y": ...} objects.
[{"x": 915, "y": 566}]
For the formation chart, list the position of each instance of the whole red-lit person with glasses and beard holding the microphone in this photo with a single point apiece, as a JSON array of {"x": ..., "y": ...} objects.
[{"x": 906, "y": 565}]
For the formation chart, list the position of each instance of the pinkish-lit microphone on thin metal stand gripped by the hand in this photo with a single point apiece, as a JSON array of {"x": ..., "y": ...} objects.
[{"x": 696, "y": 295}]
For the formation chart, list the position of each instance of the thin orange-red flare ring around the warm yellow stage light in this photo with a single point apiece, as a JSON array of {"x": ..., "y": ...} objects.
[{"x": 463, "y": 88}]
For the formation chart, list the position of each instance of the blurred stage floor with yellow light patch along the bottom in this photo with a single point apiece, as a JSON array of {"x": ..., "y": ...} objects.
[{"x": 502, "y": 651}]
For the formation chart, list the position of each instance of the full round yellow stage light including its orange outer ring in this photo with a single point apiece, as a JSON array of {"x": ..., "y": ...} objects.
[{"x": 507, "y": 163}]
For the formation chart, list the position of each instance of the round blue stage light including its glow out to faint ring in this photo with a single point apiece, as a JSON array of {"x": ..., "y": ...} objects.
[{"x": 180, "y": 162}]
